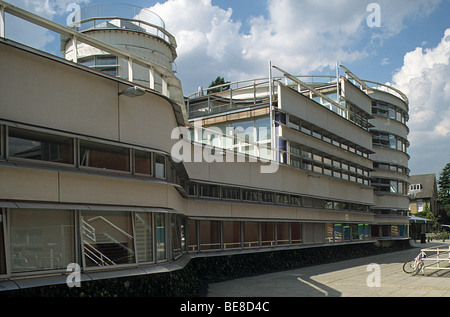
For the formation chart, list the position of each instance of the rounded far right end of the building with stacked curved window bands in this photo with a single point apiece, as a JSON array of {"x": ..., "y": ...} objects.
[{"x": 390, "y": 177}]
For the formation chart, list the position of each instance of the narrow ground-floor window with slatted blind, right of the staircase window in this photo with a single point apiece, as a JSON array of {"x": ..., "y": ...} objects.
[{"x": 143, "y": 226}]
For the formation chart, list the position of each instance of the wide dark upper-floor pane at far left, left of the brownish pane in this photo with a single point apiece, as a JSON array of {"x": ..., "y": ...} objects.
[{"x": 39, "y": 146}]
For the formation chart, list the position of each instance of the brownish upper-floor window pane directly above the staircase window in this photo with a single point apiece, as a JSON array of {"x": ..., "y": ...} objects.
[{"x": 104, "y": 156}]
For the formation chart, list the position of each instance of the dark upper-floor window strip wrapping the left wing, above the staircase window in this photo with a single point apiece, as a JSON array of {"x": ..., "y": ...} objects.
[{"x": 26, "y": 145}]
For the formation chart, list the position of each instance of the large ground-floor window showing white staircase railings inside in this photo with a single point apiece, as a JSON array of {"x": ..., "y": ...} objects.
[{"x": 107, "y": 238}]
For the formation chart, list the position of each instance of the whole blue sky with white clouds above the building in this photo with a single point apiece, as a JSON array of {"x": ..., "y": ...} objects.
[{"x": 237, "y": 38}]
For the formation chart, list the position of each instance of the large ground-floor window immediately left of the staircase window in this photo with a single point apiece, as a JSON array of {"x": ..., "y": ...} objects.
[{"x": 41, "y": 239}]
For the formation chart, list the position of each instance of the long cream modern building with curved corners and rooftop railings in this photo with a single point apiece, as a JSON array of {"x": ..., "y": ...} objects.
[{"x": 91, "y": 149}]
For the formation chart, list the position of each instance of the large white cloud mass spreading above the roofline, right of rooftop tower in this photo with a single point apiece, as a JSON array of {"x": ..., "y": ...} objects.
[{"x": 302, "y": 36}]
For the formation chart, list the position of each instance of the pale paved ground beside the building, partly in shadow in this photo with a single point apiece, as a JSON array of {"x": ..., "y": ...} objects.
[{"x": 343, "y": 279}]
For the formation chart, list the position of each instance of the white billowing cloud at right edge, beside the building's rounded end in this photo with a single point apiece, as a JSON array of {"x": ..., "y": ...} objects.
[{"x": 425, "y": 79}]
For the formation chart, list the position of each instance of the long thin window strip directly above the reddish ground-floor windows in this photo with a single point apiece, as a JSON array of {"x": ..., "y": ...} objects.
[{"x": 242, "y": 194}]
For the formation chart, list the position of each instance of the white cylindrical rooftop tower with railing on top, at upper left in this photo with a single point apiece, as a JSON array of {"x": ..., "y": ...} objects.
[{"x": 136, "y": 30}]
